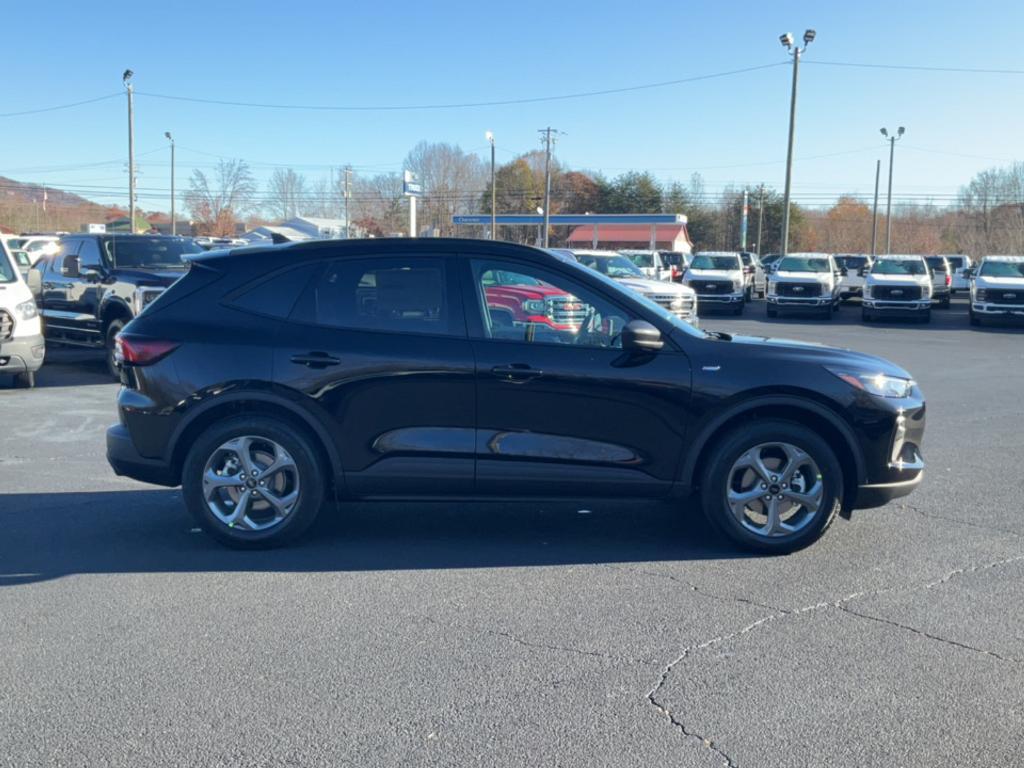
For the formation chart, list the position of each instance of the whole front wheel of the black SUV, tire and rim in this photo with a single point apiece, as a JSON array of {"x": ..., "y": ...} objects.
[{"x": 773, "y": 488}]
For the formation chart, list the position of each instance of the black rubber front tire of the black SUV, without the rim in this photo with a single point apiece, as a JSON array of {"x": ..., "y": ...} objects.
[{"x": 733, "y": 446}]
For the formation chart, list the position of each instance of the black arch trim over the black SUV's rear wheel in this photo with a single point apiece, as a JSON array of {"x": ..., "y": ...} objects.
[{"x": 255, "y": 404}]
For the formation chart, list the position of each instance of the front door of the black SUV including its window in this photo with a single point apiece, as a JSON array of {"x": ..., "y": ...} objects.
[{"x": 570, "y": 412}]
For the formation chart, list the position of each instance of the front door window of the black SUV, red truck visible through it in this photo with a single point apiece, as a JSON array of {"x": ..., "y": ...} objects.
[{"x": 524, "y": 304}]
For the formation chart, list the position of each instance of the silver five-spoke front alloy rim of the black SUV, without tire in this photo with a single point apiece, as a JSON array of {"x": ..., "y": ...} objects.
[{"x": 775, "y": 490}]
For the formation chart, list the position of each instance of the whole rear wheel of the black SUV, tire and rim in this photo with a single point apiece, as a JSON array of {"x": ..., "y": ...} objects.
[{"x": 253, "y": 483}]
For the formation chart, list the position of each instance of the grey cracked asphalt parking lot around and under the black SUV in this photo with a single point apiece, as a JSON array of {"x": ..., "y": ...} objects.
[{"x": 598, "y": 634}]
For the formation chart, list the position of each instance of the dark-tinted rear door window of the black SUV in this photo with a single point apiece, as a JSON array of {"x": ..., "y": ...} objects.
[{"x": 397, "y": 294}]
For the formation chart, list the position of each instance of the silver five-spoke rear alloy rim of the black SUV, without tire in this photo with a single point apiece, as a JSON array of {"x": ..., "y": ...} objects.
[{"x": 251, "y": 484}]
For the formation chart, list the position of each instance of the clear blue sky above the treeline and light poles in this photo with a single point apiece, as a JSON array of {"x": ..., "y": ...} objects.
[{"x": 732, "y": 130}]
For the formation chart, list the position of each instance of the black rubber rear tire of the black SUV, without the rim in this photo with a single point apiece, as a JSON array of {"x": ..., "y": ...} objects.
[{"x": 312, "y": 480}]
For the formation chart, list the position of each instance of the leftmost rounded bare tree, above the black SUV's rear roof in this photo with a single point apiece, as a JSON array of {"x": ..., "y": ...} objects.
[{"x": 218, "y": 203}]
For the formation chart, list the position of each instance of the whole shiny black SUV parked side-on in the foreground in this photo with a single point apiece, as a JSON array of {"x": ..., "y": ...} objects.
[{"x": 271, "y": 380}]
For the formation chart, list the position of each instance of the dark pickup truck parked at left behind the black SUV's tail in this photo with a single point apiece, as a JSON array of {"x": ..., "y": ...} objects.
[{"x": 96, "y": 284}]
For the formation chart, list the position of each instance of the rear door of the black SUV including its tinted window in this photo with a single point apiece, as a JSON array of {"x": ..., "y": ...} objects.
[{"x": 400, "y": 402}]
